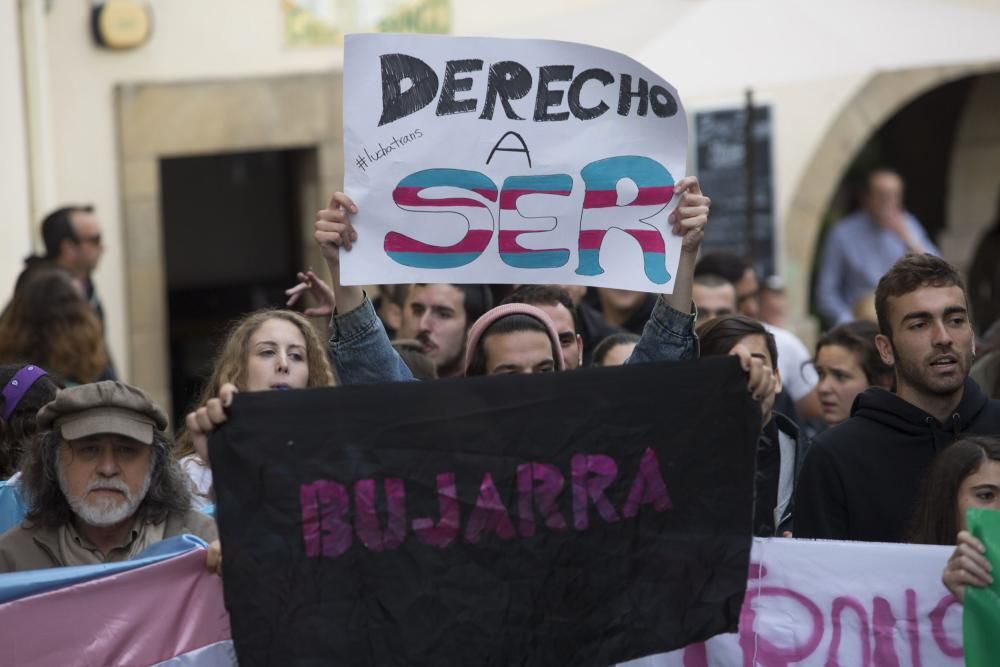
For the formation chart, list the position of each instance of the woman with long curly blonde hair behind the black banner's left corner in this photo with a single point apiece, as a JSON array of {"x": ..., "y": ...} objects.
[{"x": 266, "y": 350}]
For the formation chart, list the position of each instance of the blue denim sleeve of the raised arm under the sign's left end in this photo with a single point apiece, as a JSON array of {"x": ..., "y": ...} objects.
[{"x": 360, "y": 349}]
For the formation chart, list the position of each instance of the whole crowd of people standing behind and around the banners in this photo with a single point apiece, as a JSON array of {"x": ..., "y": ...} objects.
[{"x": 888, "y": 430}]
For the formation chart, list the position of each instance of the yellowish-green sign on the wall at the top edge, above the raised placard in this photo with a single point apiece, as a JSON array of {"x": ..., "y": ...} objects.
[{"x": 325, "y": 22}]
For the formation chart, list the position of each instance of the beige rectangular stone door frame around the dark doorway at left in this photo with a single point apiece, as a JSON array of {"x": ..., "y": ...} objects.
[{"x": 158, "y": 121}]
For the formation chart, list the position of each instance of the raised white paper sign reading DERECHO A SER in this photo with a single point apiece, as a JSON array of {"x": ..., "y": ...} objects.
[{"x": 477, "y": 160}]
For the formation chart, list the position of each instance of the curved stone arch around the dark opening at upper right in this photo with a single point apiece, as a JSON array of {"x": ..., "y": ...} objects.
[{"x": 882, "y": 96}]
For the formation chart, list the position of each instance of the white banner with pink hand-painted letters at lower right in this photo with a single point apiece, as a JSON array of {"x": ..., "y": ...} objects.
[{"x": 822, "y": 603}]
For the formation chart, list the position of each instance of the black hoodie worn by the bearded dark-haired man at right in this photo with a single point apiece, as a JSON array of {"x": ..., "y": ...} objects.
[{"x": 860, "y": 479}]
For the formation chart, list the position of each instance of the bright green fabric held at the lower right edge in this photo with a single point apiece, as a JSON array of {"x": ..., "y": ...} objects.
[{"x": 981, "y": 620}]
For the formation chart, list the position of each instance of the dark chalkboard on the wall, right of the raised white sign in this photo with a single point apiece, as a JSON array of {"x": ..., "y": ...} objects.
[{"x": 721, "y": 168}]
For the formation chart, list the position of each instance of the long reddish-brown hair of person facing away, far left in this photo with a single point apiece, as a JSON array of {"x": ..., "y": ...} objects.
[{"x": 49, "y": 323}]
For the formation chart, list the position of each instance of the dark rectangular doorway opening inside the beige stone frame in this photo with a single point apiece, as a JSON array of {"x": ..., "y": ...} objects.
[{"x": 232, "y": 240}]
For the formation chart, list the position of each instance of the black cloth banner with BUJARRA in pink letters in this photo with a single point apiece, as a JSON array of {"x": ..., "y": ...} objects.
[{"x": 577, "y": 518}]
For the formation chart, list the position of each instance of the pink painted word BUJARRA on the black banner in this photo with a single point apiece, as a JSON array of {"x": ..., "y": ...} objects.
[{"x": 326, "y": 506}]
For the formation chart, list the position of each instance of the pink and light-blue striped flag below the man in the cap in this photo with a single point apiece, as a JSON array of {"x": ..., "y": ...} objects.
[{"x": 161, "y": 608}]
